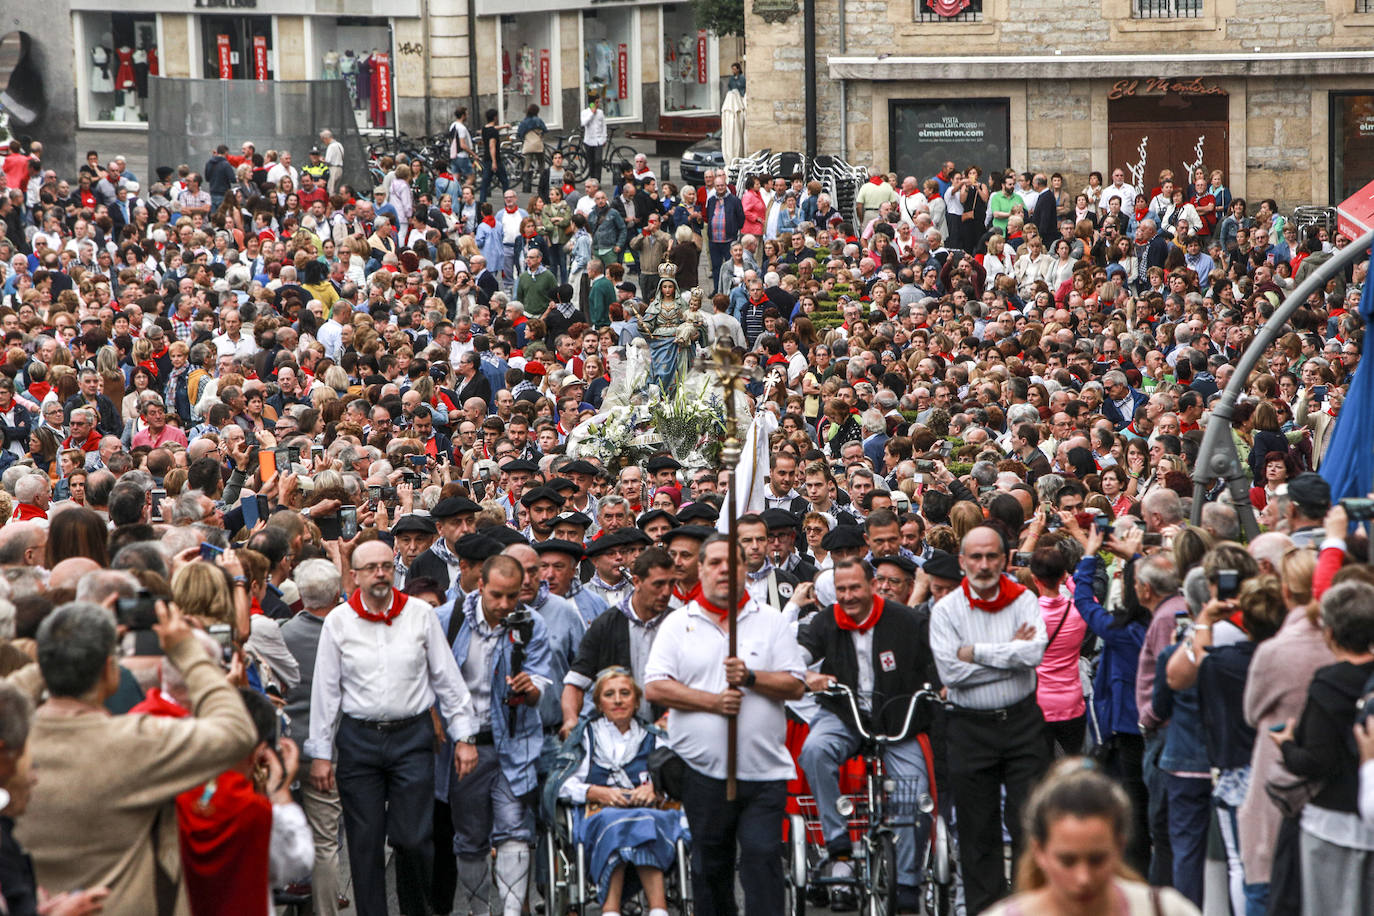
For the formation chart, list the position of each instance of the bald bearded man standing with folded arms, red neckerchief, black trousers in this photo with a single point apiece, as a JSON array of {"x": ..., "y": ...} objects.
[{"x": 989, "y": 638}]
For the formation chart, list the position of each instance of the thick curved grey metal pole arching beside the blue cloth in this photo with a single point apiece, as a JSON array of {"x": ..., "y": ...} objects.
[{"x": 1217, "y": 455}]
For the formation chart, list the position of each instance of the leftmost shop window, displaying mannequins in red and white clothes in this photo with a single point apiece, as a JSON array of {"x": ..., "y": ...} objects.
[{"x": 120, "y": 54}]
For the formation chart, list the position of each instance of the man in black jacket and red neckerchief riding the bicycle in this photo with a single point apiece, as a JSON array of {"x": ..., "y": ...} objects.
[{"x": 880, "y": 650}]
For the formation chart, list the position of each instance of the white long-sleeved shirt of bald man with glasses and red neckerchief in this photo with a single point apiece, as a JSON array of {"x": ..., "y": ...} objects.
[{"x": 381, "y": 672}]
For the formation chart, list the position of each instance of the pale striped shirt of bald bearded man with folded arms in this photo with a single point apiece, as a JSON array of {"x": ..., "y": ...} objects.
[{"x": 1002, "y": 671}]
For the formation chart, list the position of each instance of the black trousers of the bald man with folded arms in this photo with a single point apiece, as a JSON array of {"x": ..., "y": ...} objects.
[{"x": 989, "y": 753}]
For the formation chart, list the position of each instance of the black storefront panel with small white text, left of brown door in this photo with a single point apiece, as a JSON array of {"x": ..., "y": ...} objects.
[{"x": 925, "y": 135}]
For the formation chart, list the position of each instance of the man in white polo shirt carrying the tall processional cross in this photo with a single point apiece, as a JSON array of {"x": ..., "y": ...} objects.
[{"x": 690, "y": 674}]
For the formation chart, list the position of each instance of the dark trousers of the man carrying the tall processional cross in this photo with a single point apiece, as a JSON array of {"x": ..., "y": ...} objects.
[{"x": 754, "y": 822}]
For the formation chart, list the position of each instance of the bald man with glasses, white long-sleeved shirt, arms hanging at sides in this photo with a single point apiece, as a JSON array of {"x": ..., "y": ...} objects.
[{"x": 384, "y": 663}]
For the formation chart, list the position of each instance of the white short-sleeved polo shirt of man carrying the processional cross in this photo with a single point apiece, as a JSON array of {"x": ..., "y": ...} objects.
[{"x": 692, "y": 649}]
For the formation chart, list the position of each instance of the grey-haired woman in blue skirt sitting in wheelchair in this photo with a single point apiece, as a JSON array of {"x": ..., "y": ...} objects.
[{"x": 620, "y": 823}]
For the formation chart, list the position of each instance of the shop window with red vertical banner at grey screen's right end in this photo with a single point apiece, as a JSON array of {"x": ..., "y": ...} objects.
[{"x": 355, "y": 50}]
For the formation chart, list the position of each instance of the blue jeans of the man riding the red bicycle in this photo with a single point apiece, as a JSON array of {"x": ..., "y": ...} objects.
[{"x": 829, "y": 745}]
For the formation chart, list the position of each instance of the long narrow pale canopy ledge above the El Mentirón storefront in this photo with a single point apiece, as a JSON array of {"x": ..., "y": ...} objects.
[{"x": 1101, "y": 67}]
